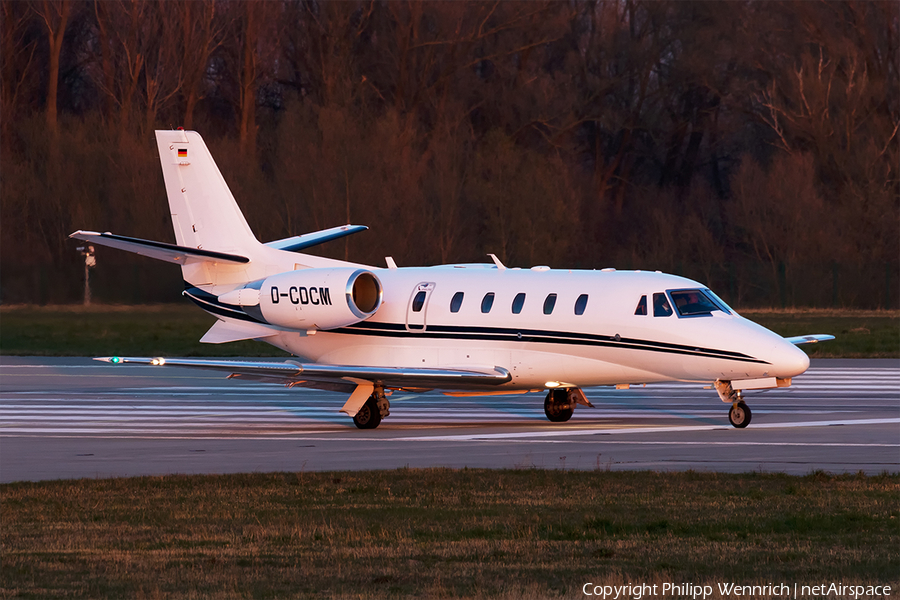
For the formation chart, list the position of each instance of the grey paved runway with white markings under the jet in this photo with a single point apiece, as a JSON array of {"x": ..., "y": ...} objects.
[{"x": 73, "y": 417}]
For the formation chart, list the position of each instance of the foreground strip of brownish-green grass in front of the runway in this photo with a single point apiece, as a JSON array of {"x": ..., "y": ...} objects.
[{"x": 442, "y": 533}]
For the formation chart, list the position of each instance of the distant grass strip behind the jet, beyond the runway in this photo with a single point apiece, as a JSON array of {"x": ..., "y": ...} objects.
[{"x": 174, "y": 330}]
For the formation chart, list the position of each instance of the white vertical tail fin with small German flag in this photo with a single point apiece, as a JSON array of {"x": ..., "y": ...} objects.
[{"x": 204, "y": 212}]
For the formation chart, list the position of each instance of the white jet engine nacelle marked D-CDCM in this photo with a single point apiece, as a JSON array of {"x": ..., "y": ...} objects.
[{"x": 319, "y": 298}]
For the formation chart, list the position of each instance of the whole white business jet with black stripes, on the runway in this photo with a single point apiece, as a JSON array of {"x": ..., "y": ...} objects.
[{"x": 464, "y": 329}]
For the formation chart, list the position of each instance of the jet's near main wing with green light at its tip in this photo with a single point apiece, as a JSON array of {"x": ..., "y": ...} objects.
[{"x": 334, "y": 377}]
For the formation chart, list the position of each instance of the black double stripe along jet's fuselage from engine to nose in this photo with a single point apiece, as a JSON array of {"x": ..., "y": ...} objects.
[{"x": 538, "y": 335}]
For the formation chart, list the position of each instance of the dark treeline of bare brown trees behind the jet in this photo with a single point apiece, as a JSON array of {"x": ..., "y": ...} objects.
[{"x": 751, "y": 145}]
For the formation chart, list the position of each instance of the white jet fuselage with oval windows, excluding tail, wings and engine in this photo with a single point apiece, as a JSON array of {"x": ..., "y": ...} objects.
[{"x": 517, "y": 328}]
